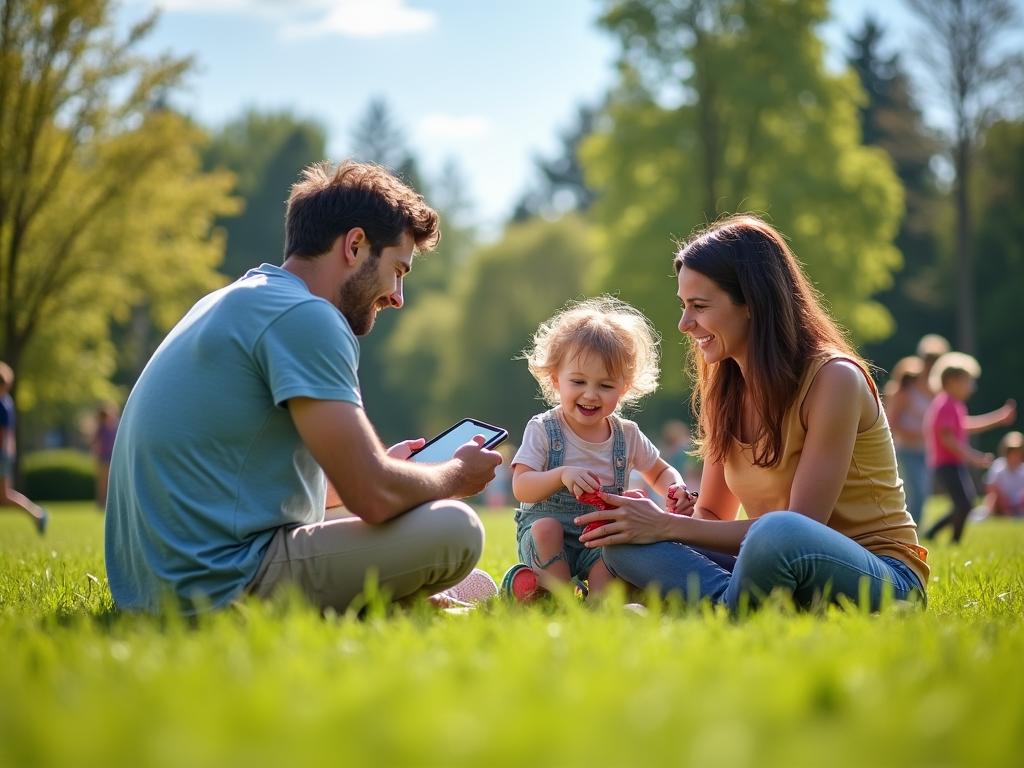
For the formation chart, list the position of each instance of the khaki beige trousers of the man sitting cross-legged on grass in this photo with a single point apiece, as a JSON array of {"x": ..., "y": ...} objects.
[{"x": 424, "y": 551}]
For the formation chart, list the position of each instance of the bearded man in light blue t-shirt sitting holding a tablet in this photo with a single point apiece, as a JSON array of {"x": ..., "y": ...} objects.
[{"x": 218, "y": 481}]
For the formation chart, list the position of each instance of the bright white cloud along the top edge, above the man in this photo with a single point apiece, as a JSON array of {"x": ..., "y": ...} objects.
[{"x": 318, "y": 18}]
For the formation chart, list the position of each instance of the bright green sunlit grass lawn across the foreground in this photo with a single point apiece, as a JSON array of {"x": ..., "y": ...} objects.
[{"x": 561, "y": 686}]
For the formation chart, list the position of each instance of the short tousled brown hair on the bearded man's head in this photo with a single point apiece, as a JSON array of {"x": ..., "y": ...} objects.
[{"x": 326, "y": 204}]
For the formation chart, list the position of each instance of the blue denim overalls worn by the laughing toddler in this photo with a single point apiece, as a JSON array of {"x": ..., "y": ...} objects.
[{"x": 566, "y": 508}]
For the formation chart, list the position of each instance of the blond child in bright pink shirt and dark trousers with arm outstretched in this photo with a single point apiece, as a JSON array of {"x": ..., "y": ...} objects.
[{"x": 948, "y": 428}]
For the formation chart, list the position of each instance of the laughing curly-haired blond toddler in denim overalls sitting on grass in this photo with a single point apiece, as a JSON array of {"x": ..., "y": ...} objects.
[{"x": 590, "y": 360}]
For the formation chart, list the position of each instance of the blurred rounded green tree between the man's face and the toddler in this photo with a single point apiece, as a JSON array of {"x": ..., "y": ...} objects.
[{"x": 455, "y": 352}]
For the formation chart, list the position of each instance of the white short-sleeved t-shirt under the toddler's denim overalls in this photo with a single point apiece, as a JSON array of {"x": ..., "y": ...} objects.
[{"x": 598, "y": 457}]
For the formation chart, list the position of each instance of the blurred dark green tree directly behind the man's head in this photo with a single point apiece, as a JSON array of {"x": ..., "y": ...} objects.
[{"x": 267, "y": 153}]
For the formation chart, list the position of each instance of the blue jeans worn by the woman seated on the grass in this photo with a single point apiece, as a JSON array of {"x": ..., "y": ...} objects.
[{"x": 787, "y": 550}]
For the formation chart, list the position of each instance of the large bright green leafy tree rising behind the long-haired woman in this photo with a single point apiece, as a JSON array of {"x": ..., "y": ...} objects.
[{"x": 727, "y": 106}]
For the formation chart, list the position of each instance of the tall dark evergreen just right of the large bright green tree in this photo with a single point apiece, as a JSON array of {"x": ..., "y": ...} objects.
[{"x": 921, "y": 297}]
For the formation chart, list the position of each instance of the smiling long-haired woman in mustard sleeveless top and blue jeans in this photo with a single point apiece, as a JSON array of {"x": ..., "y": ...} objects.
[{"x": 790, "y": 425}]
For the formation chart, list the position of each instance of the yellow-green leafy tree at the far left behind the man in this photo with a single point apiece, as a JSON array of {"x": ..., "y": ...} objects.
[{"x": 103, "y": 205}]
